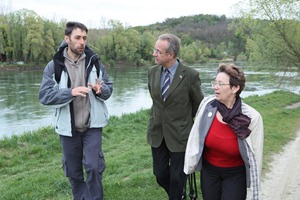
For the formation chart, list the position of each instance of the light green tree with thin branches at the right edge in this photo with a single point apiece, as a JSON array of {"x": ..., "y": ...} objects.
[{"x": 274, "y": 27}]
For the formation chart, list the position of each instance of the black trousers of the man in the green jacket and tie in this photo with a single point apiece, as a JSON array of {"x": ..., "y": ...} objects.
[{"x": 168, "y": 169}]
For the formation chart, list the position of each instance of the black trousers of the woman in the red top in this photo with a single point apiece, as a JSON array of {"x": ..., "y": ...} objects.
[{"x": 218, "y": 183}]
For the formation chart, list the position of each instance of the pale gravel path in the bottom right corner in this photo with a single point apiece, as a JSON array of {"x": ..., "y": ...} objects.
[{"x": 283, "y": 181}]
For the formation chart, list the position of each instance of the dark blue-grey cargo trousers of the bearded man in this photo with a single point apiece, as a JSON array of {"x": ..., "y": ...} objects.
[{"x": 84, "y": 149}]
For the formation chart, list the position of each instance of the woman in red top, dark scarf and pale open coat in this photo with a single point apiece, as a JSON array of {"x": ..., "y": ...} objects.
[{"x": 226, "y": 141}]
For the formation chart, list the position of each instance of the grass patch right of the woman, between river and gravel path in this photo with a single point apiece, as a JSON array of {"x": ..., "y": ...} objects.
[{"x": 280, "y": 124}]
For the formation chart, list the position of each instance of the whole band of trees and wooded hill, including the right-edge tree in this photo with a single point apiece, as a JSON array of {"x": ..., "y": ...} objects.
[{"x": 267, "y": 32}]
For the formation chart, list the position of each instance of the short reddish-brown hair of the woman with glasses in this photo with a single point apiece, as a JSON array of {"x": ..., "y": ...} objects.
[{"x": 236, "y": 75}]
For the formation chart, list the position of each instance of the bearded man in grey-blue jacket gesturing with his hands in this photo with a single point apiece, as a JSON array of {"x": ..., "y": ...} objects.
[{"x": 76, "y": 85}]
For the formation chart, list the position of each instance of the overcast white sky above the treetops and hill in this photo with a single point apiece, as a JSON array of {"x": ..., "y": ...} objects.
[{"x": 129, "y": 12}]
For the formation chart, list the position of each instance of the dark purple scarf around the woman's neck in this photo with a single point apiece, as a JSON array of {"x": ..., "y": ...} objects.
[{"x": 235, "y": 118}]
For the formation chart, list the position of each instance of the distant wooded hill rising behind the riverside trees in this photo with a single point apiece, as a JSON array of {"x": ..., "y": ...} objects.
[{"x": 210, "y": 29}]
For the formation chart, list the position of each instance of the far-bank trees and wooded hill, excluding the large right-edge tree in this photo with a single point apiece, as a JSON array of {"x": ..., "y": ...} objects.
[{"x": 27, "y": 37}]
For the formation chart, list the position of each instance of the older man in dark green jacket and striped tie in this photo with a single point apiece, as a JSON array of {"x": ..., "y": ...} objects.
[{"x": 176, "y": 93}]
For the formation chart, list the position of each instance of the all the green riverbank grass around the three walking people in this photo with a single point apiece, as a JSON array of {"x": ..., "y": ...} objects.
[{"x": 30, "y": 164}]
